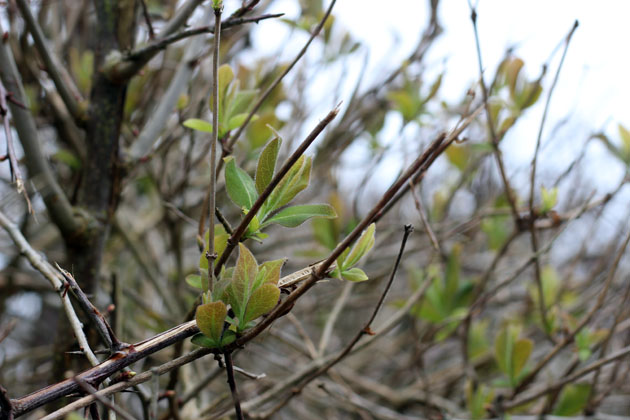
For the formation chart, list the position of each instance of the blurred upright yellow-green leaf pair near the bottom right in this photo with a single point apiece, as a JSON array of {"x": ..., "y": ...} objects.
[{"x": 512, "y": 352}]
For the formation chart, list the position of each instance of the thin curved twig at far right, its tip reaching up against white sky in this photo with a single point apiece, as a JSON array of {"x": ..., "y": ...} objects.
[{"x": 532, "y": 211}]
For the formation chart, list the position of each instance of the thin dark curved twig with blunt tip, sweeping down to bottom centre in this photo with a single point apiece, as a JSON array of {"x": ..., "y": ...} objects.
[{"x": 365, "y": 330}]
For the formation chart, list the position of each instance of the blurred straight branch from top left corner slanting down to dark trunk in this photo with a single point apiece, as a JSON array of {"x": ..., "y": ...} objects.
[{"x": 52, "y": 66}]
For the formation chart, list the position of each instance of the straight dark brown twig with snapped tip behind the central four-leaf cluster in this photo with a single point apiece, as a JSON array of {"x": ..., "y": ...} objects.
[{"x": 242, "y": 227}]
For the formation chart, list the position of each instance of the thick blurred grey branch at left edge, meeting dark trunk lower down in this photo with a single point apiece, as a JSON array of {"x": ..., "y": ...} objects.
[{"x": 56, "y": 202}]
